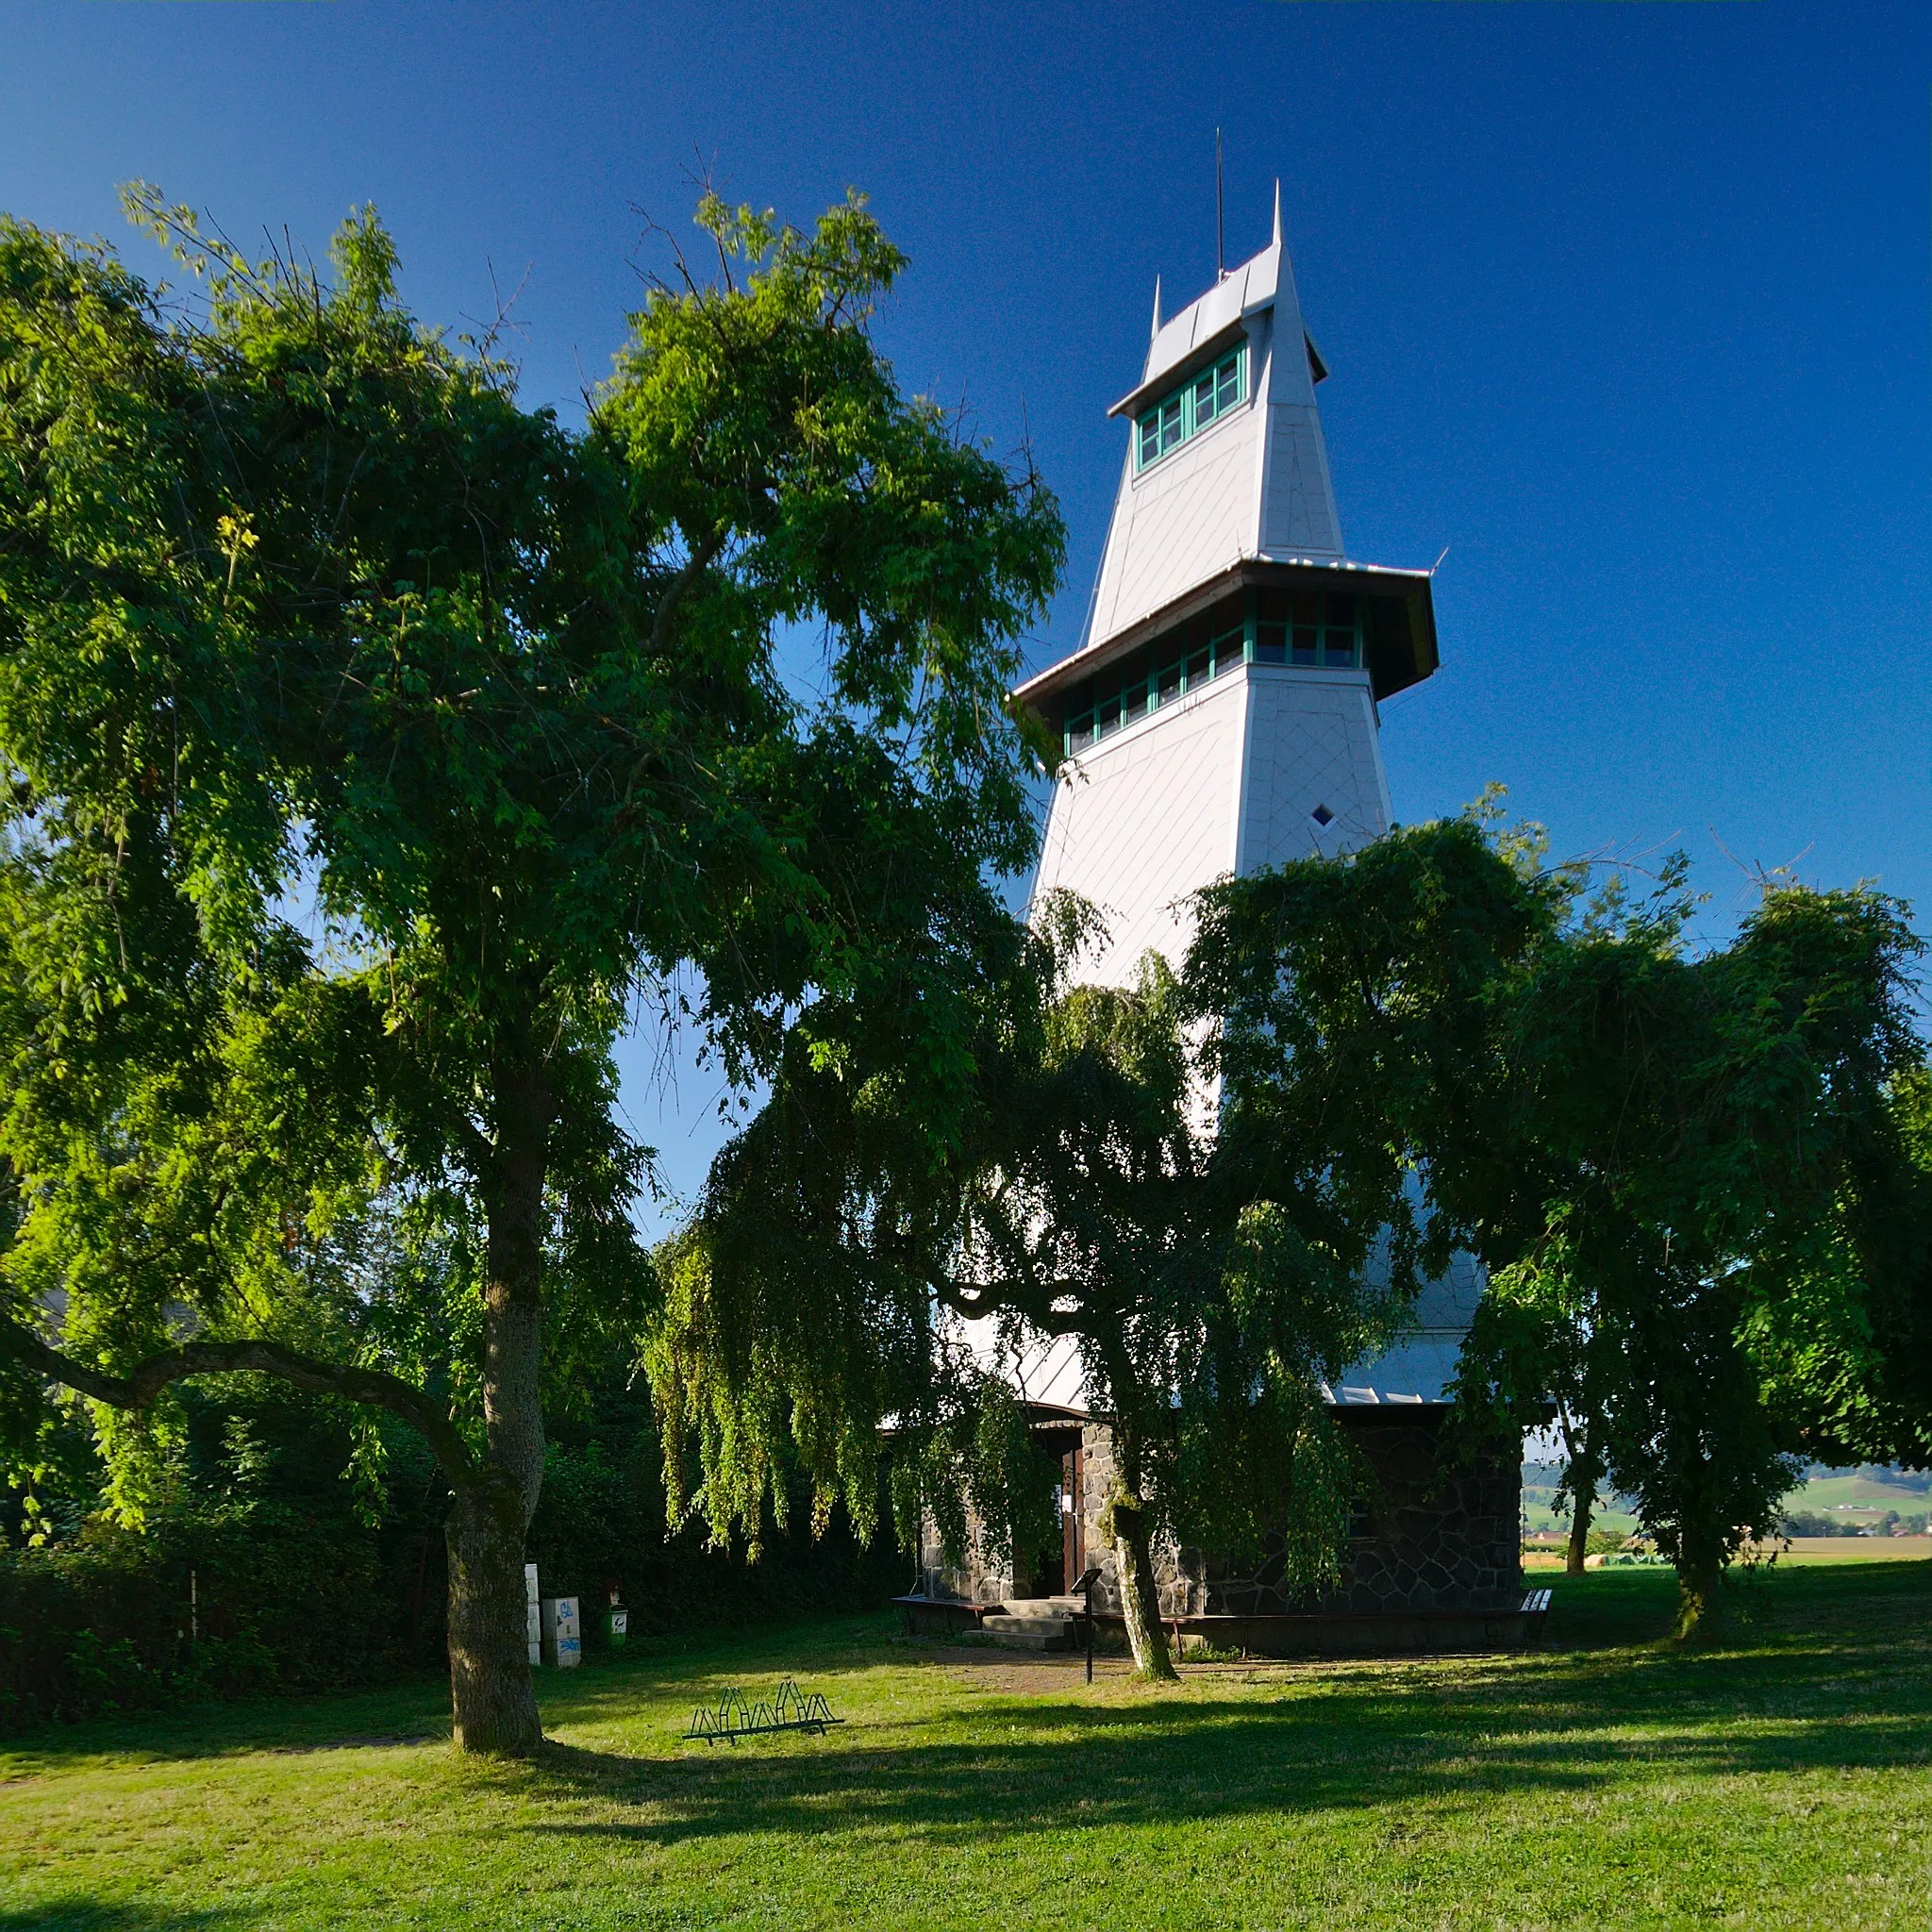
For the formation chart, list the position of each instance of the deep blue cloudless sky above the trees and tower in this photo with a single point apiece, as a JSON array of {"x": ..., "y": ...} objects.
[{"x": 1628, "y": 306}]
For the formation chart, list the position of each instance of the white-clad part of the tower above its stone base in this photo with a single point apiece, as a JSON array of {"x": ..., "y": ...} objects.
[{"x": 1222, "y": 708}]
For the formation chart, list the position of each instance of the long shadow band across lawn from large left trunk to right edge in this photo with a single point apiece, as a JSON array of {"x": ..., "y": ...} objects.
[{"x": 1411, "y": 1734}]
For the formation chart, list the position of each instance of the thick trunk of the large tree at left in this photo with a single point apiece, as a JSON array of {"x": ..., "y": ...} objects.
[{"x": 492, "y": 1693}]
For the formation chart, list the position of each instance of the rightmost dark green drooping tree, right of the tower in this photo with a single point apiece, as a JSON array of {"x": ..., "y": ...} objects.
[{"x": 1728, "y": 1137}]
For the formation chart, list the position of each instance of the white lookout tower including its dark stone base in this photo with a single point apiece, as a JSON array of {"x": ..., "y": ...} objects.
[{"x": 1222, "y": 714}]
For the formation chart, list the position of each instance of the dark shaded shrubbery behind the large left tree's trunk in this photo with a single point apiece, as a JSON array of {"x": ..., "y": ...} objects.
[{"x": 304, "y": 1576}]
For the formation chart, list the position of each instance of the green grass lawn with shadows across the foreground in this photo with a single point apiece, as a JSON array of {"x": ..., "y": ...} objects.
[{"x": 1608, "y": 1782}]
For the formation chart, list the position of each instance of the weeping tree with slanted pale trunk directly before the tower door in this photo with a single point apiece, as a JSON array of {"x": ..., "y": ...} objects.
[{"x": 1085, "y": 1197}]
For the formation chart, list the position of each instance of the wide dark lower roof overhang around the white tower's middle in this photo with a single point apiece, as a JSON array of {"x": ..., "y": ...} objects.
[{"x": 1402, "y": 623}]
